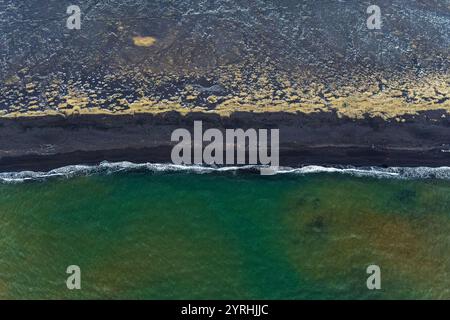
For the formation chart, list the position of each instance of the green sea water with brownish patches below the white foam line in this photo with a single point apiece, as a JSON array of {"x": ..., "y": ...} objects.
[{"x": 143, "y": 235}]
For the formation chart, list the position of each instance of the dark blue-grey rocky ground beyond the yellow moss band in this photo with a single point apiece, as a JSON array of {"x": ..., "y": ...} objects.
[{"x": 192, "y": 35}]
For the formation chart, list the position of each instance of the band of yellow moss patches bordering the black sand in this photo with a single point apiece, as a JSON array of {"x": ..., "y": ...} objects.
[{"x": 250, "y": 93}]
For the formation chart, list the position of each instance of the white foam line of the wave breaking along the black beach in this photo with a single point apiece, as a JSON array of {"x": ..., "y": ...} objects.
[{"x": 115, "y": 167}]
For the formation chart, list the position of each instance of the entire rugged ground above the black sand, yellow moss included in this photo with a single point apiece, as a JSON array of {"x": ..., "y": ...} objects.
[{"x": 225, "y": 56}]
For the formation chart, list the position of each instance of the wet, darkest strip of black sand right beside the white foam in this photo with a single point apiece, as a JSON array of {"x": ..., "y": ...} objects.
[{"x": 330, "y": 157}]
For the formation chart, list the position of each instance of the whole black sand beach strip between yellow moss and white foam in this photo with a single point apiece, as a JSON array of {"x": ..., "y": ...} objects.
[{"x": 46, "y": 143}]
